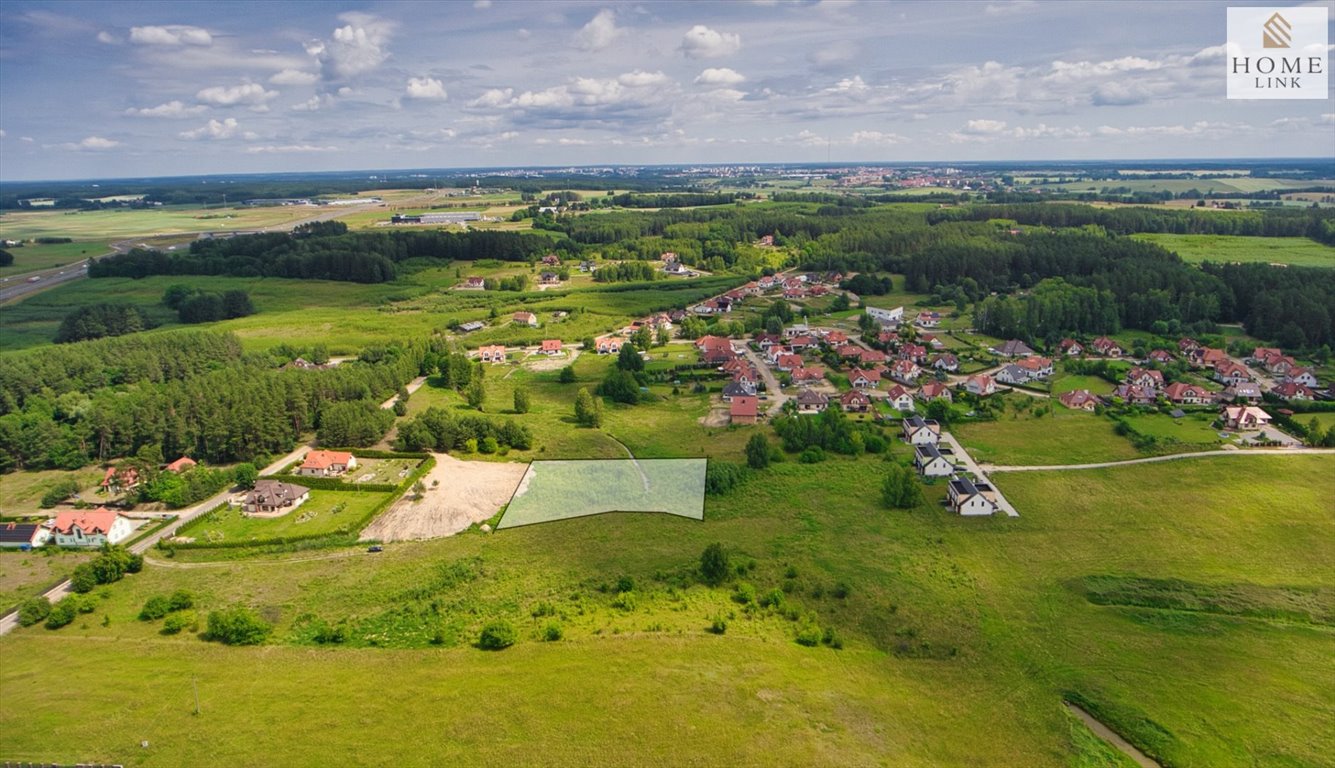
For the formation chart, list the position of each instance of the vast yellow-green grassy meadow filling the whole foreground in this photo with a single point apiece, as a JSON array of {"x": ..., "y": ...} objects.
[{"x": 945, "y": 622}]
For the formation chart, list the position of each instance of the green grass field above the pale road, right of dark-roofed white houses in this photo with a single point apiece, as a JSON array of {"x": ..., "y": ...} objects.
[{"x": 1065, "y": 437}]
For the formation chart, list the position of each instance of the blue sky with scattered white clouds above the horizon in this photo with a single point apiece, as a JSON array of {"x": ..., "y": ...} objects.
[{"x": 110, "y": 90}]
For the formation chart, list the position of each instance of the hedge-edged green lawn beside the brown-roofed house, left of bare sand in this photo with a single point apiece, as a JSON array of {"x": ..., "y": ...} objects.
[{"x": 325, "y": 512}]
